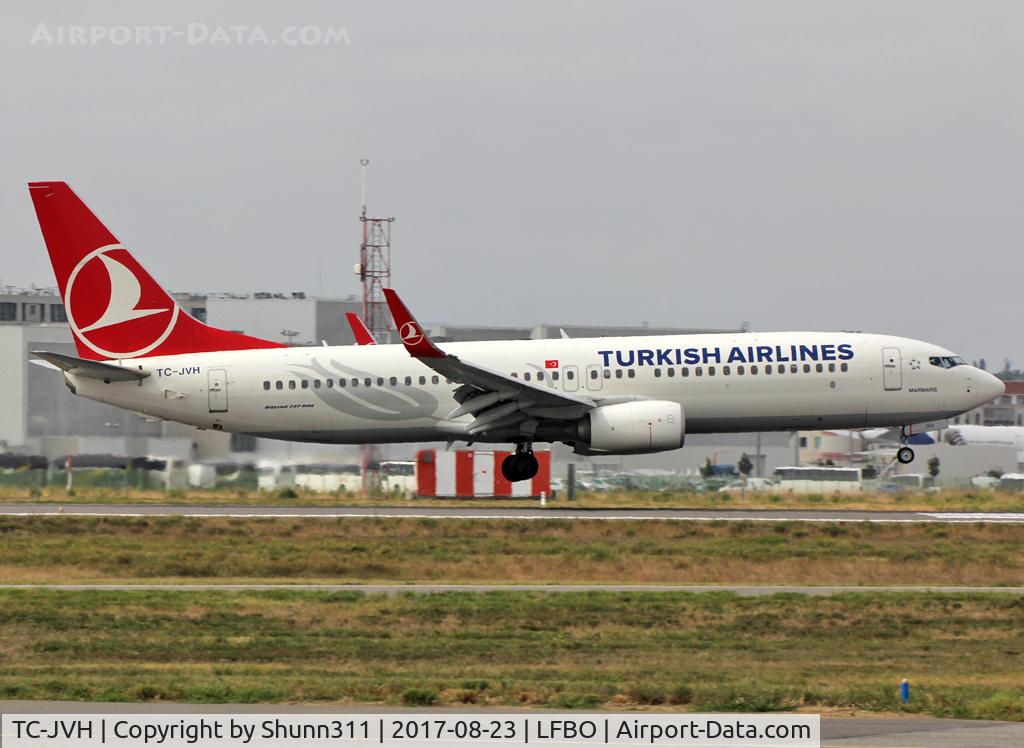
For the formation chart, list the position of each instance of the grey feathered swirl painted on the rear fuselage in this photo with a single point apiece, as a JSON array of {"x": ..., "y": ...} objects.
[{"x": 371, "y": 403}]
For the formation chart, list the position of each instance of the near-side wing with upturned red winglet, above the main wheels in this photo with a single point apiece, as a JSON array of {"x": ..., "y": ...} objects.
[{"x": 495, "y": 400}]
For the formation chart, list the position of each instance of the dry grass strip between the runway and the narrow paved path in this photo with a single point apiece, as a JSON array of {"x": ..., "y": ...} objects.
[{"x": 220, "y": 550}]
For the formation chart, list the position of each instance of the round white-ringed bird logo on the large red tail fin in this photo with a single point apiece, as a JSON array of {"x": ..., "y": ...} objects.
[{"x": 140, "y": 330}]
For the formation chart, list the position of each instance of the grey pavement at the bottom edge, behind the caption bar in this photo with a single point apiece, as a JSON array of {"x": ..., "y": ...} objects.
[{"x": 836, "y": 732}]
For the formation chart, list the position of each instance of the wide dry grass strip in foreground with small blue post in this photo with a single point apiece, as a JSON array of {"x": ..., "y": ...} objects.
[{"x": 965, "y": 654}]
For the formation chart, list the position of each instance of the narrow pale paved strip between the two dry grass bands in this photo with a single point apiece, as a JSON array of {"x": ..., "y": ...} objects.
[{"x": 393, "y": 590}]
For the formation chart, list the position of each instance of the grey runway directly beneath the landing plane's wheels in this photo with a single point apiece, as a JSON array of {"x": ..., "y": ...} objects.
[{"x": 497, "y": 513}]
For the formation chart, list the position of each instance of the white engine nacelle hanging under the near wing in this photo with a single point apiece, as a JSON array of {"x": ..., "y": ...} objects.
[{"x": 635, "y": 428}]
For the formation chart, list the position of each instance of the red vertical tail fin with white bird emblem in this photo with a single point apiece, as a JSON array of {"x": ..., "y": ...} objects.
[{"x": 115, "y": 309}]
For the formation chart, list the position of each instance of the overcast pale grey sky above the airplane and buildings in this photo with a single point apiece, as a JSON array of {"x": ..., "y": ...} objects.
[{"x": 799, "y": 165}]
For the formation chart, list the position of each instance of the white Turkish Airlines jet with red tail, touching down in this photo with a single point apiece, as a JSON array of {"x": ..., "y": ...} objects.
[{"x": 611, "y": 396}]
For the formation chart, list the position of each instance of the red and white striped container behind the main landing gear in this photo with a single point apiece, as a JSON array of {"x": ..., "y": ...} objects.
[{"x": 468, "y": 474}]
